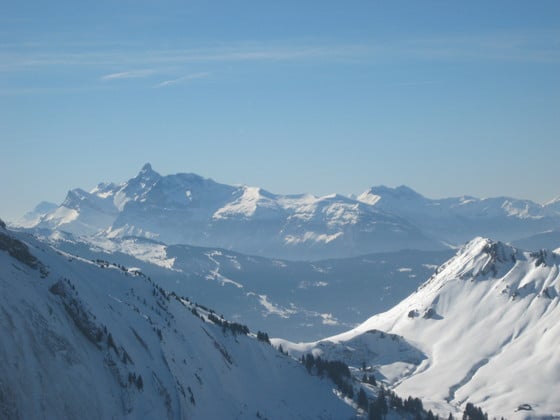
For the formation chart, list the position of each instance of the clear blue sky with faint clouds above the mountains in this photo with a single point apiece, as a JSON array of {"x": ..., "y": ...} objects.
[{"x": 450, "y": 98}]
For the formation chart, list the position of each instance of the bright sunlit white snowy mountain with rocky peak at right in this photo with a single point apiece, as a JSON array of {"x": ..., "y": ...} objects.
[{"x": 488, "y": 323}]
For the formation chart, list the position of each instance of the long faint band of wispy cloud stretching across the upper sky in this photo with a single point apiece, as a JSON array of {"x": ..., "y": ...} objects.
[{"x": 535, "y": 46}]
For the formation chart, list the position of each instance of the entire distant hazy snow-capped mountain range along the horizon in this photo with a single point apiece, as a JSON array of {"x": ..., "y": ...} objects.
[{"x": 189, "y": 209}]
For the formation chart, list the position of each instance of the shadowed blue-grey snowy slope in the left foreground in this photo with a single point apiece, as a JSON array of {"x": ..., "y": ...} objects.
[{"x": 92, "y": 340}]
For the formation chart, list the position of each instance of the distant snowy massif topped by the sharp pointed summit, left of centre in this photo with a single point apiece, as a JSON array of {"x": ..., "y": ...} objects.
[{"x": 189, "y": 209}]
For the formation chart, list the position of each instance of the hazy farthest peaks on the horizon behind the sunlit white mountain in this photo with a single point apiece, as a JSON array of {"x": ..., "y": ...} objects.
[{"x": 459, "y": 219}]
